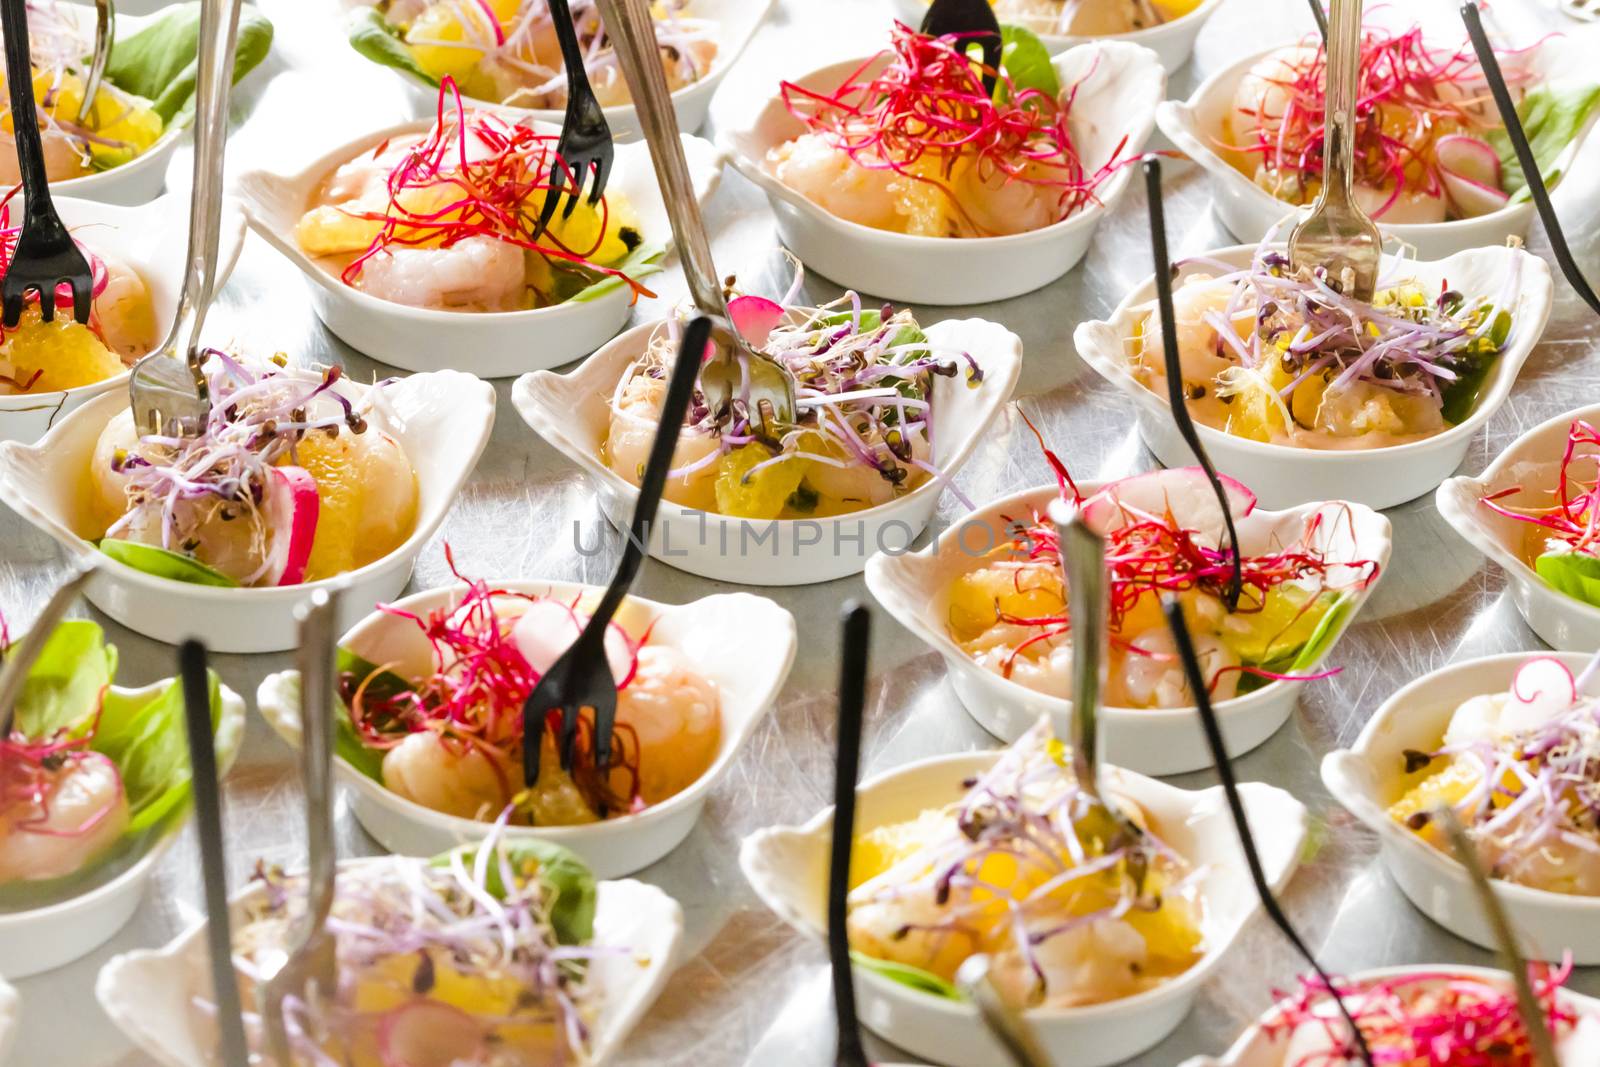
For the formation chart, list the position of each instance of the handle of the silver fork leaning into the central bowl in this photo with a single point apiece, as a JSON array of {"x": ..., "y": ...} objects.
[{"x": 633, "y": 36}]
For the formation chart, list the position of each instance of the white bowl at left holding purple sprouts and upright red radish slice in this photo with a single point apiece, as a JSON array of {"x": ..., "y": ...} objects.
[{"x": 442, "y": 422}]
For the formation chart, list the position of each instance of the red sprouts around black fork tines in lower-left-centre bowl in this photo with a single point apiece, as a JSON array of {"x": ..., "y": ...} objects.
[{"x": 476, "y": 693}]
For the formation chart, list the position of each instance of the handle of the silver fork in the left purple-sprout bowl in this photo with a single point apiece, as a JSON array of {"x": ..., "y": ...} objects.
[{"x": 217, "y": 47}]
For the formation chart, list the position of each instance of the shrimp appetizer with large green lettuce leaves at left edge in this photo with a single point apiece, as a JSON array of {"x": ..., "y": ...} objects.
[{"x": 89, "y": 775}]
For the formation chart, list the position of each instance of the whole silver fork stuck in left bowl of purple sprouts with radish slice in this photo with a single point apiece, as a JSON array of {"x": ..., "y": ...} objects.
[{"x": 169, "y": 391}]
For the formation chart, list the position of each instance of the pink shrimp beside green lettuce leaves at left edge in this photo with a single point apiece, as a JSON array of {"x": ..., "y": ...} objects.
[{"x": 82, "y": 815}]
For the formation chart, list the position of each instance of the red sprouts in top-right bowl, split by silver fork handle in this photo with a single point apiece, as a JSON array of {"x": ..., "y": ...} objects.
[{"x": 1431, "y": 92}]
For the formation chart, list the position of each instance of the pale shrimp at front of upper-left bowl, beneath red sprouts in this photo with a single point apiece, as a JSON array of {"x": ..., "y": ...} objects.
[{"x": 474, "y": 274}]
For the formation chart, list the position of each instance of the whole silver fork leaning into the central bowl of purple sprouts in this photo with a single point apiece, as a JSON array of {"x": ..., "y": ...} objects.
[{"x": 735, "y": 372}]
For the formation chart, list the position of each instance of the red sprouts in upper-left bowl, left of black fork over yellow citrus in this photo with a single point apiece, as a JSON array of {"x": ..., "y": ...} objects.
[{"x": 494, "y": 190}]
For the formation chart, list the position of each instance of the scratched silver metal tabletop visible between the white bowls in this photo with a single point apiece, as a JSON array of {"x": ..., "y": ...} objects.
[{"x": 750, "y": 991}]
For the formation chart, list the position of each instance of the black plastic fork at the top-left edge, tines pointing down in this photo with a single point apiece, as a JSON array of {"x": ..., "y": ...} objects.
[{"x": 46, "y": 255}]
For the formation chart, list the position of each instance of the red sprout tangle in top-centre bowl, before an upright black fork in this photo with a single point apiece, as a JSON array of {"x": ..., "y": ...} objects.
[{"x": 929, "y": 103}]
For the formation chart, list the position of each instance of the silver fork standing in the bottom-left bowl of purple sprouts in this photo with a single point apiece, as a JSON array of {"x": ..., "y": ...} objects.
[{"x": 313, "y": 967}]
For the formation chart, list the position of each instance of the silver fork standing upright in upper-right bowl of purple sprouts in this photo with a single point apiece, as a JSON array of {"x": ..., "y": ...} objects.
[{"x": 1338, "y": 236}]
